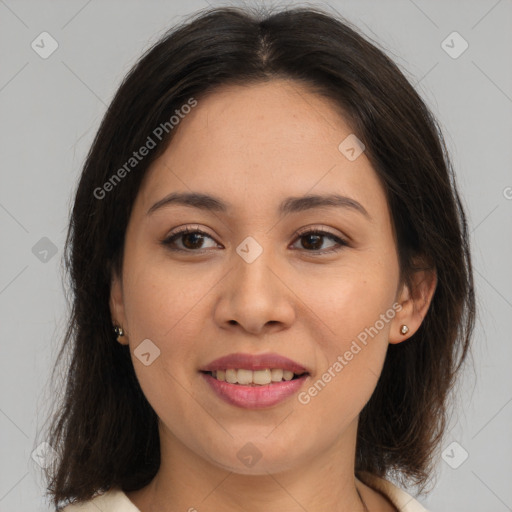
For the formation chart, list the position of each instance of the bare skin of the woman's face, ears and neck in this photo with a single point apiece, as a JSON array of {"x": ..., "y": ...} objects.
[{"x": 254, "y": 146}]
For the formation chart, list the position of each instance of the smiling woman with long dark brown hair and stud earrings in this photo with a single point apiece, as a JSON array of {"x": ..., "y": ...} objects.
[{"x": 271, "y": 274}]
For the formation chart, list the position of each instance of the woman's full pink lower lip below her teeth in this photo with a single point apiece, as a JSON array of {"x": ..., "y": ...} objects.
[{"x": 255, "y": 397}]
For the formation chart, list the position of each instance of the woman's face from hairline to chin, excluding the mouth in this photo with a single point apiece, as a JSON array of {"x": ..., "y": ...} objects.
[{"x": 318, "y": 284}]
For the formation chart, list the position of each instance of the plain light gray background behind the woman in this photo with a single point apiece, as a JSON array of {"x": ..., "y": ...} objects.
[{"x": 50, "y": 109}]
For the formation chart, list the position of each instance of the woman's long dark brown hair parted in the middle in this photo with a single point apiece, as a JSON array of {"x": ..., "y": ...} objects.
[{"x": 105, "y": 432}]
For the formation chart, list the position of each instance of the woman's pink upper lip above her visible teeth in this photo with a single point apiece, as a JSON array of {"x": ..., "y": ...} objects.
[{"x": 254, "y": 362}]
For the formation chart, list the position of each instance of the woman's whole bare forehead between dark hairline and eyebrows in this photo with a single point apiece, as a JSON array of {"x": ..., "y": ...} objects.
[{"x": 263, "y": 140}]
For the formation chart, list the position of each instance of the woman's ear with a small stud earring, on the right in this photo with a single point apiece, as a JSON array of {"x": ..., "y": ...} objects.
[{"x": 414, "y": 298}]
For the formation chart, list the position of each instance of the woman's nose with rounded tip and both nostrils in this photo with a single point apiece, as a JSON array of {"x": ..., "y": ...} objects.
[{"x": 256, "y": 296}]
